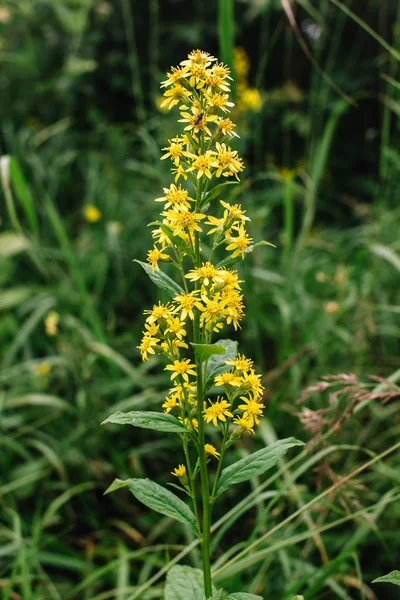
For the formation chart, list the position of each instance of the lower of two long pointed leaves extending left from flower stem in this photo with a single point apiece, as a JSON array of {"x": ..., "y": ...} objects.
[{"x": 161, "y": 500}]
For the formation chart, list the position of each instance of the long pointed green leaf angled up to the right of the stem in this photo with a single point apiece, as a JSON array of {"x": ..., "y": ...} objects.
[{"x": 254, "y": 464}]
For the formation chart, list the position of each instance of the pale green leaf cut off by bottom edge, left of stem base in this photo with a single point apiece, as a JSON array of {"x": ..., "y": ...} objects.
[{"x": 185, "y": 583}]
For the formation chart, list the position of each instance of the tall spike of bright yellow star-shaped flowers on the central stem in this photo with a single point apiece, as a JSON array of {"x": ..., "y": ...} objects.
[{"x": 211, "y": 295}]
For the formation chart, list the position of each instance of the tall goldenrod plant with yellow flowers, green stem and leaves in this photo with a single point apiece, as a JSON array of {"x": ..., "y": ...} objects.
[{"x": 216, "y": 395}]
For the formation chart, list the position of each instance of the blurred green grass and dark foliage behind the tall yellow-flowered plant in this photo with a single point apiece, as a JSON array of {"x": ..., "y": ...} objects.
[{"x": 317, "y": 89}]
